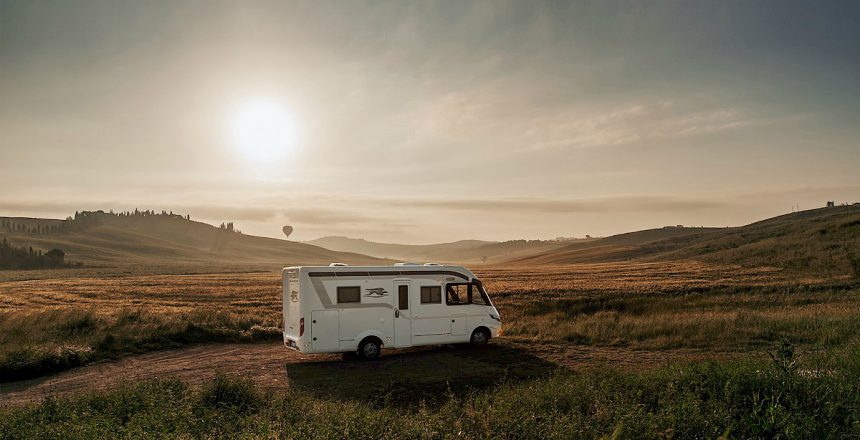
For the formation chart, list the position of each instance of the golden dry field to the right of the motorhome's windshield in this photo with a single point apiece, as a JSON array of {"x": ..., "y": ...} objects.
[{"x": 674, "y": 305}]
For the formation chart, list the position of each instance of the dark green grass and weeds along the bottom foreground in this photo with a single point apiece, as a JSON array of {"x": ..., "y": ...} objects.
[{"x": 708, "y": 400}]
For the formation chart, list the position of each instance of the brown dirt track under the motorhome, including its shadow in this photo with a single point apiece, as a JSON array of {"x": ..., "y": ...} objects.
[{"x": 272, "y": 365}]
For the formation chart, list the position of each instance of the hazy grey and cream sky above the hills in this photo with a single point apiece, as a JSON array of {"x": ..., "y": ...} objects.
[{"x": 433, "y": 121}]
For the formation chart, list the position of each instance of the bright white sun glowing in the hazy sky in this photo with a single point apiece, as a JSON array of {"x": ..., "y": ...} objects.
[{"x": 264, "y": 131}]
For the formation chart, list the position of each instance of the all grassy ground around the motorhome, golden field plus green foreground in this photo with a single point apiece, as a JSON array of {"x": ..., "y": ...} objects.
[{"x": 522, "y": 388}]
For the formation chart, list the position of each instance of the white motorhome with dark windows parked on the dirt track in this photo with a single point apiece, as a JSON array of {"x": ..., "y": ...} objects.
[{"x": 361, "y": 309}]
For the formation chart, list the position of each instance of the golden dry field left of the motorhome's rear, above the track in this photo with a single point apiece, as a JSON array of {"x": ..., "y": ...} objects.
[{"x": 53, "y": 324}]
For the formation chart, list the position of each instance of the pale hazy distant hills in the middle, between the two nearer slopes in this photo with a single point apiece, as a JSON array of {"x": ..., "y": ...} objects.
[{"x": 465, "y": 251}]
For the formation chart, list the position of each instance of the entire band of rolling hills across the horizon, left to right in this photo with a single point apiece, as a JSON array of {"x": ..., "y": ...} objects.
[{"x": 822, "y": 241}]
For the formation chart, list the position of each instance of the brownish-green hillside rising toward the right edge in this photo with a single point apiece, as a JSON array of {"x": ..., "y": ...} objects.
[{"x": 823, "y": 241}]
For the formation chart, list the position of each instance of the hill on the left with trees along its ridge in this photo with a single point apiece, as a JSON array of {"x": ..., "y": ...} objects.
[{"x": 107, "y": 239}]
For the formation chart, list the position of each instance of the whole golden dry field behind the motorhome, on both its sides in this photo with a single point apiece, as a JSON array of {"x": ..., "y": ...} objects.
[{"x": 54, "y": 323}]
